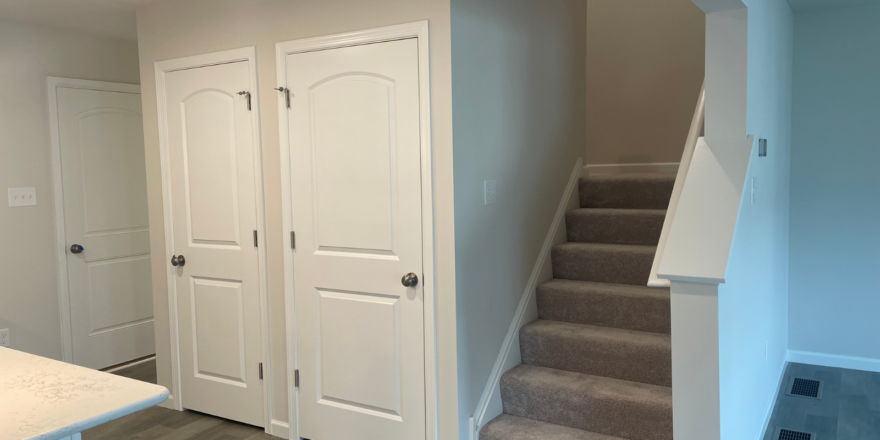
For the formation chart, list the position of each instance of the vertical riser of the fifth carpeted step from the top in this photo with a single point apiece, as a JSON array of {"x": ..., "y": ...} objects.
[{"x": 629, "y": 360}]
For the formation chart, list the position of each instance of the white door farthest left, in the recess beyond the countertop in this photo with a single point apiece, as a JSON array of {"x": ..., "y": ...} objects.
[{"x": 104, "y": 184}]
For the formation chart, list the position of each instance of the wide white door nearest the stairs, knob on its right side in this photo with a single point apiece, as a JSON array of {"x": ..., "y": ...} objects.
[{"x": 356, "y": 197}]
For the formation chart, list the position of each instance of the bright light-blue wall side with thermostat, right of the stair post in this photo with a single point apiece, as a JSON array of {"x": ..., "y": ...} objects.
[{"x": 753, "y": 304}]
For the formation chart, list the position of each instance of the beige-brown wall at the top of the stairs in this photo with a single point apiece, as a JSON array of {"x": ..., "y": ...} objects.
[{"x": 645, "y": 63}]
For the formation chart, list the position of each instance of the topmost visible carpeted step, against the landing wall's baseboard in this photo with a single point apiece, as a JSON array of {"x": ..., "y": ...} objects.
[{"x": 627, "y": 191}]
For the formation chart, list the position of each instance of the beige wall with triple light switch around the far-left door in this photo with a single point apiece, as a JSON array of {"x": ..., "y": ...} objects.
[{"x": 29, "y": 304}]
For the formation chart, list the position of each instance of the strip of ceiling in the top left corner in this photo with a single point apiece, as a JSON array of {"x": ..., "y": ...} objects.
[{"x": 111, "y": 18}]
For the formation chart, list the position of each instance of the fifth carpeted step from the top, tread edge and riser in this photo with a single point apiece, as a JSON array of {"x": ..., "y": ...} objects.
[{"x": 599, "y": 351}]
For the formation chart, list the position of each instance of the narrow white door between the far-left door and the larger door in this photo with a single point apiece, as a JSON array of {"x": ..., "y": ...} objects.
[{"x": 214, "y": 218}]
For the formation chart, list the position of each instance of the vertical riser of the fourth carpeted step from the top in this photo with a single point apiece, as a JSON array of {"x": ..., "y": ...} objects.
[{"x": 596, "y": 308}]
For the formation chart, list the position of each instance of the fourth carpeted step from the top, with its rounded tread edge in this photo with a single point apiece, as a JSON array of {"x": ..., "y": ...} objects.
[{"x": 623, "y": 306}]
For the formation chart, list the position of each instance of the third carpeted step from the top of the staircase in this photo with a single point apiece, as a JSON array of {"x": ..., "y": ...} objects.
[{"x": 604, "y": 263}]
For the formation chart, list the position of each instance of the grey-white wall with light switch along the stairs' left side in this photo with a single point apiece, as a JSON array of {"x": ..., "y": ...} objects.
[{"x": 518, "y": 77}]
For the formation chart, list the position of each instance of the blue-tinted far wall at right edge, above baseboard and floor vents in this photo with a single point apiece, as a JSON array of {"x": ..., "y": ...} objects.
[{"x": 835, "y": 173}]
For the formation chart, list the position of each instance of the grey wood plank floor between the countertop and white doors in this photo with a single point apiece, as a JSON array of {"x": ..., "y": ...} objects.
[{"x": 164, "y": 424}]
